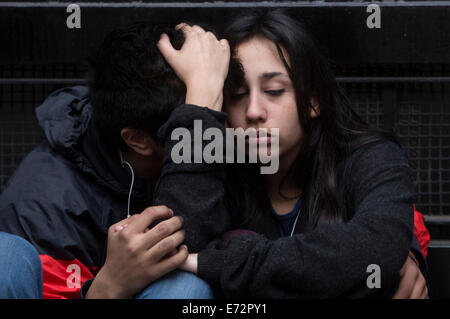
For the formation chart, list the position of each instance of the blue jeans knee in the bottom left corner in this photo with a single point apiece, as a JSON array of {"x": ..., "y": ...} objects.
[{"x": 20, "y": 269}]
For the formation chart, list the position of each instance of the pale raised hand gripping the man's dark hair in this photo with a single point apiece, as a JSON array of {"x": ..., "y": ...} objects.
[{"x": 201, "y": 63}]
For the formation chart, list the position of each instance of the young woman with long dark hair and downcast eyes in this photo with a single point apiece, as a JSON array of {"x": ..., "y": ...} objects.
[{"x": 336, "y": 220}]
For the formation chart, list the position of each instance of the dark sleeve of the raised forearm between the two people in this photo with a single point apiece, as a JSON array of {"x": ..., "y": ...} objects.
[{"x": 193, "y": 186}]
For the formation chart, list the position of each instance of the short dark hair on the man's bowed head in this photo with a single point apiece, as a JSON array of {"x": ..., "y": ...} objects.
[{"x": 130, "y": 83}]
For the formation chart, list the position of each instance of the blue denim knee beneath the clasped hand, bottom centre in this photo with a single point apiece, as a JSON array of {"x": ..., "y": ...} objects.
[{"x": 177, "y": 285}]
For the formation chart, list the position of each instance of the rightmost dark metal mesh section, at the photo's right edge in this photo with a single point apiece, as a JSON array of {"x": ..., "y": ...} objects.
[{"x": 424, "y": 127}]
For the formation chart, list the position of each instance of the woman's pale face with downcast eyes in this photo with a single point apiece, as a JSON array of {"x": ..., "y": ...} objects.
[{"x": 267, "y": 98}]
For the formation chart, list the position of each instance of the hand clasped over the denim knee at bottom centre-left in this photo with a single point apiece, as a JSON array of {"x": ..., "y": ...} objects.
[{"x": 136, "y": 255}]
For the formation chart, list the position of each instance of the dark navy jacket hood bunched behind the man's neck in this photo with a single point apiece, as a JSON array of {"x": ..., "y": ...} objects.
[{"x": 66, "y": 120}]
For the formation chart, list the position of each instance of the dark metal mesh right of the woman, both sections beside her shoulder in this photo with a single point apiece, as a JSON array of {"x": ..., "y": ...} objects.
[{"x": 422, "y": 123}]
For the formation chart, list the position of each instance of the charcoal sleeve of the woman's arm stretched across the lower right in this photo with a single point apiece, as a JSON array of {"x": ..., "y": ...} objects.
[{"x": 333, "y": 260}]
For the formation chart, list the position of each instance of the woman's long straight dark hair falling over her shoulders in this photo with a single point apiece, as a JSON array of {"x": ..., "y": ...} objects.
[{"x": 333, "y": 135}]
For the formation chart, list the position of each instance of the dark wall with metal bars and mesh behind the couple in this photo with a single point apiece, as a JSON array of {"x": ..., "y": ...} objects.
[{"x": 398, "y": 76}]
